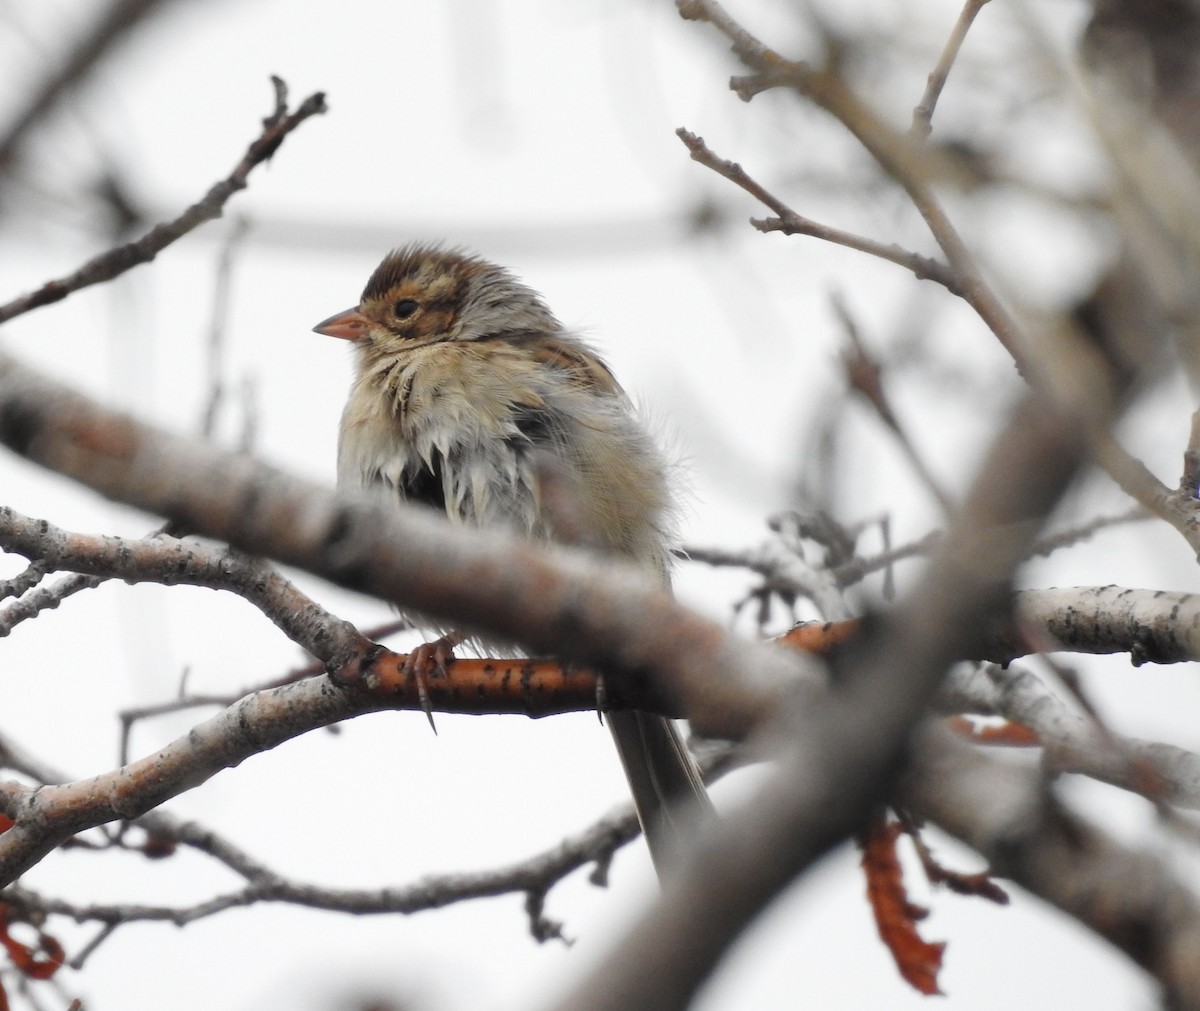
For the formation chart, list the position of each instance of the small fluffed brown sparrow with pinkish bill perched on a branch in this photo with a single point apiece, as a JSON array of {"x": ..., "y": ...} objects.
[{"x": 473, "y": 399}]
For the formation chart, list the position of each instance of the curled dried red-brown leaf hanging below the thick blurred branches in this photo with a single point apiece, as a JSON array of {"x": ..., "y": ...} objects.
[{"x": 896, "y": 918}]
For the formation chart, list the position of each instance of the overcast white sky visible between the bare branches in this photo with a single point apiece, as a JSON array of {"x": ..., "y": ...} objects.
[{"x": 542, "y": 135}]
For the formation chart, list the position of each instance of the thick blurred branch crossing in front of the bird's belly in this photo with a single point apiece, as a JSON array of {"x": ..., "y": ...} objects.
[{"x": 557, "y": 602}]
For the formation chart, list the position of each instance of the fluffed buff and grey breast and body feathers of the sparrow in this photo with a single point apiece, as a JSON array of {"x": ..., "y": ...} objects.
[{"x": 479, "y": 432}]
